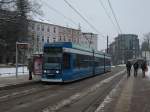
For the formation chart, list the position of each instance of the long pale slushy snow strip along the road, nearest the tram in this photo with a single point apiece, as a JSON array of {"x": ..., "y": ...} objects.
[{"x": 80, "y": 94}]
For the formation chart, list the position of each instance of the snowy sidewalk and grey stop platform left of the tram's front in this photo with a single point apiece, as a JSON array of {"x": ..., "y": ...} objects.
[{"x": 8, "y": 77}]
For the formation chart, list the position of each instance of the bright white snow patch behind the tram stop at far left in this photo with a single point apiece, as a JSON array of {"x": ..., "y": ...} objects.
[{"x": 6, "y": 72}]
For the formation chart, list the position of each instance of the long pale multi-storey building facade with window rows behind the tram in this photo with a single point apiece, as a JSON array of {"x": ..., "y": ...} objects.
[{"x": 42, "y": 33}]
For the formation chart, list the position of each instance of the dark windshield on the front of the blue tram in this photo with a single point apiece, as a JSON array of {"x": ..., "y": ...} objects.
[{"x": 52, "y": 58}]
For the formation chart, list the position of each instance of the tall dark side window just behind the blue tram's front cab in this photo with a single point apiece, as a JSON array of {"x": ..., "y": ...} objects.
[{"x": 66, "y": 60}]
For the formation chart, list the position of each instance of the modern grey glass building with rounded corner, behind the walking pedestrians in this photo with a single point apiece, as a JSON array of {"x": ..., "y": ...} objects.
[{"x": 125, "y": 47}]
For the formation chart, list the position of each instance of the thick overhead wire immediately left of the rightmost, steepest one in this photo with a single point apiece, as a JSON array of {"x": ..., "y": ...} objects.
[{"x": 109, "y": 17}]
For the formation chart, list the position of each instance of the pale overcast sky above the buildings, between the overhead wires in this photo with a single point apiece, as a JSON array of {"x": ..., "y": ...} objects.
[{"x": 133, "y": 16}]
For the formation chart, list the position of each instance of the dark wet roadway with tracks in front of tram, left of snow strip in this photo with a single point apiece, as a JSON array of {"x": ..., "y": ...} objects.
[{"x": 36, "y": 97}]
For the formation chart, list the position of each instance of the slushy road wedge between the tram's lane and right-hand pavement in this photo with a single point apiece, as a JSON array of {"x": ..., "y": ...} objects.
[{"x": 72, "y": 102}]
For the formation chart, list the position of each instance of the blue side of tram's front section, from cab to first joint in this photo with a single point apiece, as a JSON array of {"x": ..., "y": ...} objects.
[{"x": 79, "y": 68}]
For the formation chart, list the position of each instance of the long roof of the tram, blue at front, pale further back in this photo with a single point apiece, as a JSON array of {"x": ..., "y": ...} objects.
[{"x": 72, "y": 45}]
